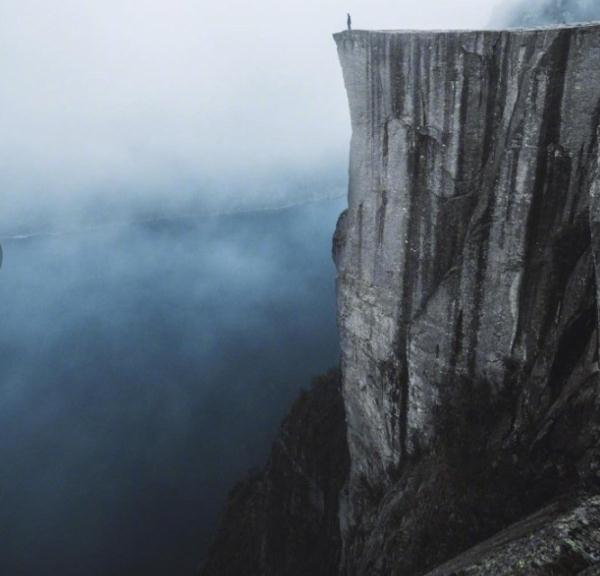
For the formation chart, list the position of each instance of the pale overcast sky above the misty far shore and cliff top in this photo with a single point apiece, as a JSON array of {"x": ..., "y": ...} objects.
[{"x": 136, "y": 99}]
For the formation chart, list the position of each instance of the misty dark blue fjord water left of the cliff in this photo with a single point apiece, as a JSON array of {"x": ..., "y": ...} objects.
[{"x": 143, "y": 369}]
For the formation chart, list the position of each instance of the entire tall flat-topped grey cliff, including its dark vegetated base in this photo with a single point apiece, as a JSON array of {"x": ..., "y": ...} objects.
[{"x": 467, "y": 306}]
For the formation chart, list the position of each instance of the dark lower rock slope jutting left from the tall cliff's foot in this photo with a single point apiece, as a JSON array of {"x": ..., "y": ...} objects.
[{"x": 283, "y": 520}]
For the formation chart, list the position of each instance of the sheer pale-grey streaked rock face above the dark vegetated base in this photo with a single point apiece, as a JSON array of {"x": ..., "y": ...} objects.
[{"x": 465, "y": 255}]
